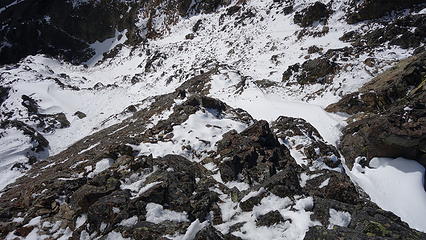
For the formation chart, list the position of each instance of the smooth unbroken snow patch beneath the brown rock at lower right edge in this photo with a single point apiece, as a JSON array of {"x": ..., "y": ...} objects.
[{"x": 395, "y": 185}]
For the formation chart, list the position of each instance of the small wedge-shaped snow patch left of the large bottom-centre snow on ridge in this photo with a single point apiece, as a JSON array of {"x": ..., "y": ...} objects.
[{"x": 155, "y": 213}]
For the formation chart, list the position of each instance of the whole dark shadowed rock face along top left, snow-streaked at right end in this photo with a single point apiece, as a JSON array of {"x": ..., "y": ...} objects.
[{"x": 65, "y": 29}]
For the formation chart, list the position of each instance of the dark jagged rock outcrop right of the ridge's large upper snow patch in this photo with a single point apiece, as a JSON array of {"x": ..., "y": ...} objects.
[{"x": 253, "y": 155}]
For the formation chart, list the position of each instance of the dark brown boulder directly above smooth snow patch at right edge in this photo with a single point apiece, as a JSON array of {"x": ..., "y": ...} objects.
[{"x": 398, "y": 133}]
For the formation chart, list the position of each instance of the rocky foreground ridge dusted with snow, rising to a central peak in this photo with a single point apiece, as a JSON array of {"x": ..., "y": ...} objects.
[{"x": 249, "y": 179}]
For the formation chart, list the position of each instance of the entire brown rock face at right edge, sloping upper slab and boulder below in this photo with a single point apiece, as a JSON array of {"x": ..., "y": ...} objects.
[{"x": 390, "y": 114}]
